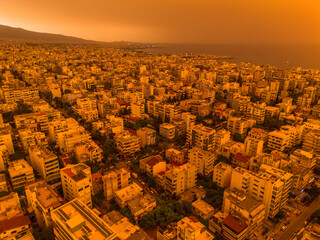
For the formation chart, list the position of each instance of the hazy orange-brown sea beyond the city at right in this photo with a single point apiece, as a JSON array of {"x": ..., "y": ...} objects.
[{"x": 283, "y": 56}]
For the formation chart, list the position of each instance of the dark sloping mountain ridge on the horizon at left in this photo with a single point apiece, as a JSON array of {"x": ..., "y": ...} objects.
[{"x": 21, "y": 35}]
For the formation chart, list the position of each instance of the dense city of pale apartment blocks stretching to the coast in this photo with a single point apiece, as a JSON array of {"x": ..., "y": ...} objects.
[{"x": 114, "y": 143}]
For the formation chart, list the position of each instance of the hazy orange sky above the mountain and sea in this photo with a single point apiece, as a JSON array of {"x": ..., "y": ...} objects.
[{"x": 192, "y": 21}]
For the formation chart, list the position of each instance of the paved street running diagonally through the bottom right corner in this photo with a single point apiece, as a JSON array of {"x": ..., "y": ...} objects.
[{"x": 298, "y": 223}]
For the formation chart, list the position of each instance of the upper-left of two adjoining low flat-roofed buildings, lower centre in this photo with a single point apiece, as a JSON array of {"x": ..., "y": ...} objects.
[{"x": 127, "y": 194}]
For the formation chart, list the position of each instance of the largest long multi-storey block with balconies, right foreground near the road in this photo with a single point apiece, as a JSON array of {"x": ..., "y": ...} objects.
[{"x": 271, "y": 185}]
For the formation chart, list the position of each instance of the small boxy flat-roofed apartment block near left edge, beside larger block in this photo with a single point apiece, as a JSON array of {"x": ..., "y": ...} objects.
[{"x": 21, "y": 173}]
